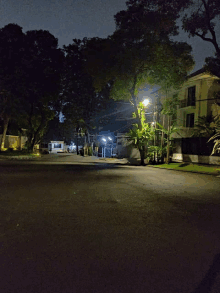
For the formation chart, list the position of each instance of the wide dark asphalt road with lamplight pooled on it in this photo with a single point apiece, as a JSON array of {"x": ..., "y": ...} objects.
[{"x": 105, "y": 228}]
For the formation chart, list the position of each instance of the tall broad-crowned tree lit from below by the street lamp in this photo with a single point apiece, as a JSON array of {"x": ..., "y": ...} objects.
[{"x": 140, "y": 52}]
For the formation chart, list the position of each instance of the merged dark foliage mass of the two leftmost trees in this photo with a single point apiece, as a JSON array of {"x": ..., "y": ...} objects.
[{"x": 30, "y": 69}]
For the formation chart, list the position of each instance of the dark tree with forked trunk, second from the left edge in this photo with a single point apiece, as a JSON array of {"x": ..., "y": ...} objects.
[{"x": 42, "y": 65}]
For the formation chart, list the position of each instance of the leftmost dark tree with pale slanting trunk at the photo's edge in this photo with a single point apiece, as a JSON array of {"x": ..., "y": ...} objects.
[{"x": 11, "y": 75}]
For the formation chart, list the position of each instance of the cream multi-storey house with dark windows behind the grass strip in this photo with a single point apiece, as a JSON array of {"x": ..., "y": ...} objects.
[{"x": 197, "y": 99}]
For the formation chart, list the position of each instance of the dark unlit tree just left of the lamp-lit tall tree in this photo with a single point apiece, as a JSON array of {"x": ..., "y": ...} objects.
[{"x": 80, "y": 100}]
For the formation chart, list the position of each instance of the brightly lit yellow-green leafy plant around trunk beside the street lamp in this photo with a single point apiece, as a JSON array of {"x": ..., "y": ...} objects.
[{"x": 140, "y": 137}]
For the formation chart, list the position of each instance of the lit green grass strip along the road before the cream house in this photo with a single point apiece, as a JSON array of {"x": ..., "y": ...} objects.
[{"x": 191, "y": 167}]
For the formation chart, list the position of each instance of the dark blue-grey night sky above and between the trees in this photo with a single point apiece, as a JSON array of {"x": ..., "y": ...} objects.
[{"x": 69, "y": 19}]
